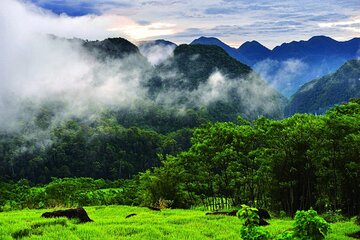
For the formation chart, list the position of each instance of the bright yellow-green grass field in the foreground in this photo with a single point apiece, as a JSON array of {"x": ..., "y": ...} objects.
[{"x": 110, "y": 223}]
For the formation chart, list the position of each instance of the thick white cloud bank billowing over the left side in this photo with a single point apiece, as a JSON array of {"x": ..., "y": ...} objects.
[{"x": 37, "y": 70}]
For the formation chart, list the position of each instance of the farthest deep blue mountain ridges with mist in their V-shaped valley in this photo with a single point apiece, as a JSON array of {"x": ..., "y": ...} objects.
[{"x": 288, "y": 66}]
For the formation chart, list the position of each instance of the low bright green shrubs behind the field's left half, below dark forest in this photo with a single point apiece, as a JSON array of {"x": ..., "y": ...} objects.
[{"x": 67, "y": 192}]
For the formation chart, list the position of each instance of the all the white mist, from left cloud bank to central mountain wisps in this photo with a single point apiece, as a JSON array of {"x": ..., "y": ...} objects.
[{"x": 43, "y": 67}]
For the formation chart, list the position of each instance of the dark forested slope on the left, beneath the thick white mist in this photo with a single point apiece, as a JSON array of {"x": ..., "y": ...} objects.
[{"x": 104, "y": 149}]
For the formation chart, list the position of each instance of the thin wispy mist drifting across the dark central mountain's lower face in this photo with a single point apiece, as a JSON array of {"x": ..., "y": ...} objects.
[{"x": 251, "y": 92}]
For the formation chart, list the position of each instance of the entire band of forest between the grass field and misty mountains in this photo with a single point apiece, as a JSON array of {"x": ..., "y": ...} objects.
[{"x": 295, "y": 163}]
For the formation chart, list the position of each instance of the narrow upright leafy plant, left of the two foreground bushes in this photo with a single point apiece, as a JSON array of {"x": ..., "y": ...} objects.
[{"x": 250, "y": 229}]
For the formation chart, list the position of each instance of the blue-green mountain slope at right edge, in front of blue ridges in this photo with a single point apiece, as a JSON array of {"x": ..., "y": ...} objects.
[{"x": 321, "y": 94}]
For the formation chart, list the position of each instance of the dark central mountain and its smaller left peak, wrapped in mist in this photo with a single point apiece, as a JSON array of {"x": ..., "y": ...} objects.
[{"x": 197, "y": 77}]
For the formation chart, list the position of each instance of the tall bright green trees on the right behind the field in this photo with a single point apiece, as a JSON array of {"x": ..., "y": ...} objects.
[{"x": 296, "y": 163}]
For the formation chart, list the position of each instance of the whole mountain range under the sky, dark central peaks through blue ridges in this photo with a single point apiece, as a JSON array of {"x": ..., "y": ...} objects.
[{"x": 203, "y": 74}]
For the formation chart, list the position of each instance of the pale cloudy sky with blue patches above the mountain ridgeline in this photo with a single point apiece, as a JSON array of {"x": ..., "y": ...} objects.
[{"x": 181, "y": 21}]
